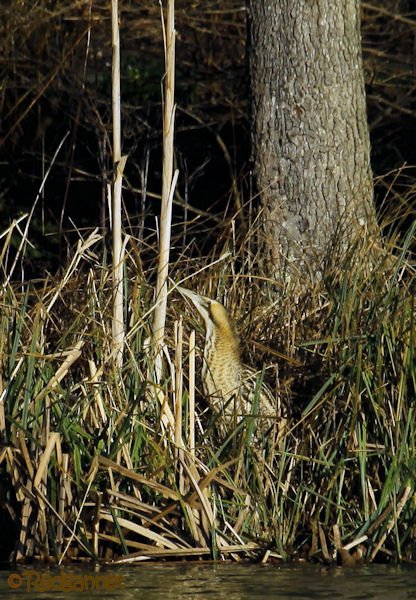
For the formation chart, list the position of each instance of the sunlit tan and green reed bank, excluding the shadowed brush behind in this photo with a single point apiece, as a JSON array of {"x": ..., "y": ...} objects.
[{"x": 111, "y": 466}]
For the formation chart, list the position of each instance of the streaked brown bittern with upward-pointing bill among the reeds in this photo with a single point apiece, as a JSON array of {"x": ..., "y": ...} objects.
[{"x": 229, "y": 385}]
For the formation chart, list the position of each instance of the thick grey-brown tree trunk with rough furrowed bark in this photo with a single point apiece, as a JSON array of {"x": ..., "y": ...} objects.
[{"x": 310, "y": 134}]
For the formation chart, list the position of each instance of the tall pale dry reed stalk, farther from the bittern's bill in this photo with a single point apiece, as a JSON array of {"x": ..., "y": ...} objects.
[{"x": 119, "y": 164}]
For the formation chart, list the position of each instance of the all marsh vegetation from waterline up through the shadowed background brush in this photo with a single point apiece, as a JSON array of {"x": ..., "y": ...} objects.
[{"x": 103, "y": 460}]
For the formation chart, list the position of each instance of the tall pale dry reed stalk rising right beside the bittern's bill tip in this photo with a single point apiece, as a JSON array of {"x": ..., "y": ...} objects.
[{"x": 168, "y": 186}]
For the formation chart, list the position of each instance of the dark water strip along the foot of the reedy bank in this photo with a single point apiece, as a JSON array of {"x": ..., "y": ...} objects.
[{"x": 219, "y": 581}]
